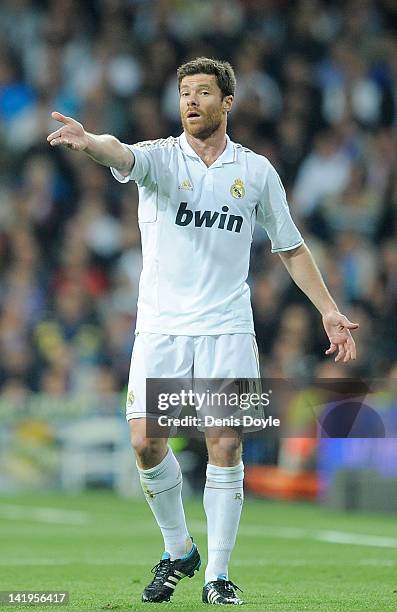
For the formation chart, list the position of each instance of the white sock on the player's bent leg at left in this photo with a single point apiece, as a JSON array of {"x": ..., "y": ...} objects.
[{"x": 162, "y": 486}]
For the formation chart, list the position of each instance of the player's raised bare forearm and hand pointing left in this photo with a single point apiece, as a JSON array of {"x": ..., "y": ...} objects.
[{"x": 104, "y": 149}]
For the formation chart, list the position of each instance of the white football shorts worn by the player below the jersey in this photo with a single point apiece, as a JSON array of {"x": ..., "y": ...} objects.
[{"x": 161, "y": 356}]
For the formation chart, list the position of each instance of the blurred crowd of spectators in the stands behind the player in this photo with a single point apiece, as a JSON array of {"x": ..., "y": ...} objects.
[{"x": 316, "y": 93}]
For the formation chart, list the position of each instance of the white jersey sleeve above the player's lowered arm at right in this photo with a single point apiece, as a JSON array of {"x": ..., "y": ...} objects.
[{"x": 274, "y": 216}]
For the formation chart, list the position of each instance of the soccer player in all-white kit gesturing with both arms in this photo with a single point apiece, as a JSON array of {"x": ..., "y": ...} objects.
[{"x": 199, "y": 198}]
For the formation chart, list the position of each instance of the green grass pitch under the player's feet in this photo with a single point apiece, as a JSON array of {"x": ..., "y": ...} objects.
[{"x": 288, "y": 556}]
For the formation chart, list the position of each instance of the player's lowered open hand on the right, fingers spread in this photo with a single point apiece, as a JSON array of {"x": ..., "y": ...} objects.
[{"x": 338, "y": 329}]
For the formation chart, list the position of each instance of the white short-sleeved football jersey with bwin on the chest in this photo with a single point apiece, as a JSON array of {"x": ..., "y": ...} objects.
[{"x": 196, "y": 224}]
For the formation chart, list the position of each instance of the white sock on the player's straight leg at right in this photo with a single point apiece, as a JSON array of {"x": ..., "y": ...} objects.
[{"x": 223, "y": 501}]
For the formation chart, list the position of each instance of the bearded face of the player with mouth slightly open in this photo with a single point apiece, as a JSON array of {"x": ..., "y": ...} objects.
[{"x": 201, "y": 104}]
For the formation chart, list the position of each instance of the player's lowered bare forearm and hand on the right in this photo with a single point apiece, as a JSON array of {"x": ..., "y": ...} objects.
[{"x": 304, "y": 271}]
